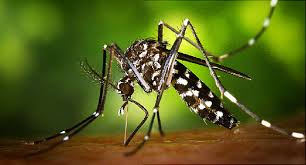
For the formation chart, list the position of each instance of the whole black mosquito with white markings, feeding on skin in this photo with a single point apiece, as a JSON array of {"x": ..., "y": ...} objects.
[{"x": 155, "y": 68}]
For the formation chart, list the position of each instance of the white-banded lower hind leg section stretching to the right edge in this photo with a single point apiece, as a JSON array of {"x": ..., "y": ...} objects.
[{"x": 261, "y": 121}]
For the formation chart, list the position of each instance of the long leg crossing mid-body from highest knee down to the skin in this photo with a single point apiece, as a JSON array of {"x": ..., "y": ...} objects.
[{"x": 166, "y": 76}]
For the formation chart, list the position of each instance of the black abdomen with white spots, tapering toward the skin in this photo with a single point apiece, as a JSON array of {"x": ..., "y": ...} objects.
[{"x": 200, "y": 98}]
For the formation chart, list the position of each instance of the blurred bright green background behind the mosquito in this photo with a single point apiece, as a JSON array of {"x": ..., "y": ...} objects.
[{"x": 43, "y": 89}]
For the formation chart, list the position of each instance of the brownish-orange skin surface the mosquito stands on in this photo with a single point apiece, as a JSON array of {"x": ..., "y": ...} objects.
[{"x": 251, "y": 144}]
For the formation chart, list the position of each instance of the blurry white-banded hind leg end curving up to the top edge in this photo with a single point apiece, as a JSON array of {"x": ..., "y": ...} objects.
[{"x": 251, "y": 41}]
